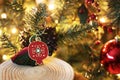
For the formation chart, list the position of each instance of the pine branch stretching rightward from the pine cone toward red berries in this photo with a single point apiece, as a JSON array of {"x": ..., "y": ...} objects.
[{"x": 74, "y": 32}]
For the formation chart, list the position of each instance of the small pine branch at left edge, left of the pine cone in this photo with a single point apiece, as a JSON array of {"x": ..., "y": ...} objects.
[{"x": 6, "y": 43}]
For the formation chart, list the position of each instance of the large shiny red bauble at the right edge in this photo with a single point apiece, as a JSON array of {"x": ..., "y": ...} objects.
[{"x": 110, "y": 56}]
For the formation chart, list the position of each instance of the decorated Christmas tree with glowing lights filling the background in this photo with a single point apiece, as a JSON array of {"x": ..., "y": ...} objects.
[{"x": 84, "y": 33}]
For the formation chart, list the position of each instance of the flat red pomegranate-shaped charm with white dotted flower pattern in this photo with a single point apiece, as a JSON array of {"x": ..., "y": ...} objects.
[{"x": 38, "y": 51}]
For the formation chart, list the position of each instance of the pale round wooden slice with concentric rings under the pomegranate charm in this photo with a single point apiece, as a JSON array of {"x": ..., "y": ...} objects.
[{"x": 52, "y": 69}]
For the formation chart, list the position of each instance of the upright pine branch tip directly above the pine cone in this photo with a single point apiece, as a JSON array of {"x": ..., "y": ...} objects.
[{"x": 36, "y": 18}]
